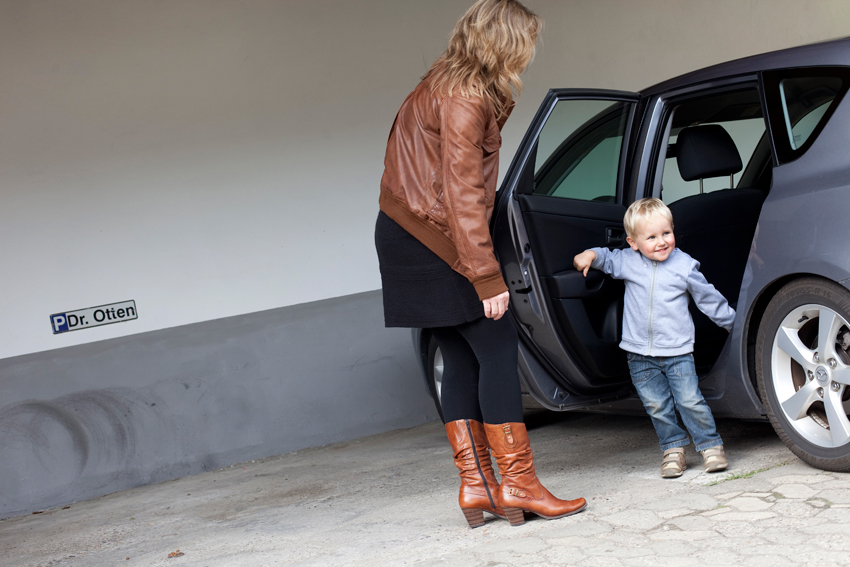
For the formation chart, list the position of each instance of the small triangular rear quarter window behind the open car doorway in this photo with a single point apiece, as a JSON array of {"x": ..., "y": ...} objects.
[{"x": 800, "y": 102}]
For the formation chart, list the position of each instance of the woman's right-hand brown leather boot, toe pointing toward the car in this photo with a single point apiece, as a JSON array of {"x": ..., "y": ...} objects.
[{"x": 520, "y": 490}]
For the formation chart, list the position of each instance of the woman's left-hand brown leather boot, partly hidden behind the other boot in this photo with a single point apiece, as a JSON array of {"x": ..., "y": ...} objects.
[{"x": 478, "y": 487}]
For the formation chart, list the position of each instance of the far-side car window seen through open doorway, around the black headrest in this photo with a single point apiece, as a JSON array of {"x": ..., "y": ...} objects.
[{"x": 739, "y": 113}]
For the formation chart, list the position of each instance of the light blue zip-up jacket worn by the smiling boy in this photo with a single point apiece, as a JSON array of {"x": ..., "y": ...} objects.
[{"x": 656, "y": 320}]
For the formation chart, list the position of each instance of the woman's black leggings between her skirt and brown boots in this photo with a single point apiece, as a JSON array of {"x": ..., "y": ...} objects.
[{"x": 480, "y": 379}]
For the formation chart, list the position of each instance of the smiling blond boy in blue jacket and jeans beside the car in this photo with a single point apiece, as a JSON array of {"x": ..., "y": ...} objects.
[{"x": 658, "y": 332}]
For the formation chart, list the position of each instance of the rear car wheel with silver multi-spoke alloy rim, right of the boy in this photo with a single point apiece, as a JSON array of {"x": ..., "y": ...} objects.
[{"x": 803, "y": 370}]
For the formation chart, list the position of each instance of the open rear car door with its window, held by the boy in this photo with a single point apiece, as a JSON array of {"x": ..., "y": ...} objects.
[{"x": 564, "y": 193}]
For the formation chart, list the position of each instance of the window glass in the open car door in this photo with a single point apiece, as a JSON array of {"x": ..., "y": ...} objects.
[{"x": 579, "y": 150}]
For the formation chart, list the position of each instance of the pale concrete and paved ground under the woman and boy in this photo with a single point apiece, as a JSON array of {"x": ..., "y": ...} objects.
[{"x": 391, "y": 499}]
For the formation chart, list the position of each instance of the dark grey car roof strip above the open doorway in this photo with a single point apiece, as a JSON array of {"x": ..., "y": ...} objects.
[{"x": 835, "y": 52}]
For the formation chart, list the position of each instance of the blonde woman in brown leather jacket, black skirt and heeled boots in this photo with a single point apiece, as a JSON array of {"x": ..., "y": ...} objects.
[{"x": 437, "y": 263}]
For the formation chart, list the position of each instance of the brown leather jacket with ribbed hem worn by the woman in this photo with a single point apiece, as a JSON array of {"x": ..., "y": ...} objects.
[{"x": 439, "y": 182}]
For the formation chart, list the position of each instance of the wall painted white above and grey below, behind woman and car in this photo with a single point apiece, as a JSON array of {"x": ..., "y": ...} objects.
[{"x": 218, "y": 163}]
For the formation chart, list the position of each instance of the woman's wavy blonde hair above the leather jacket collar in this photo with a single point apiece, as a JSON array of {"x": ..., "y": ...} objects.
[{"x": 490, "y": 47}]
